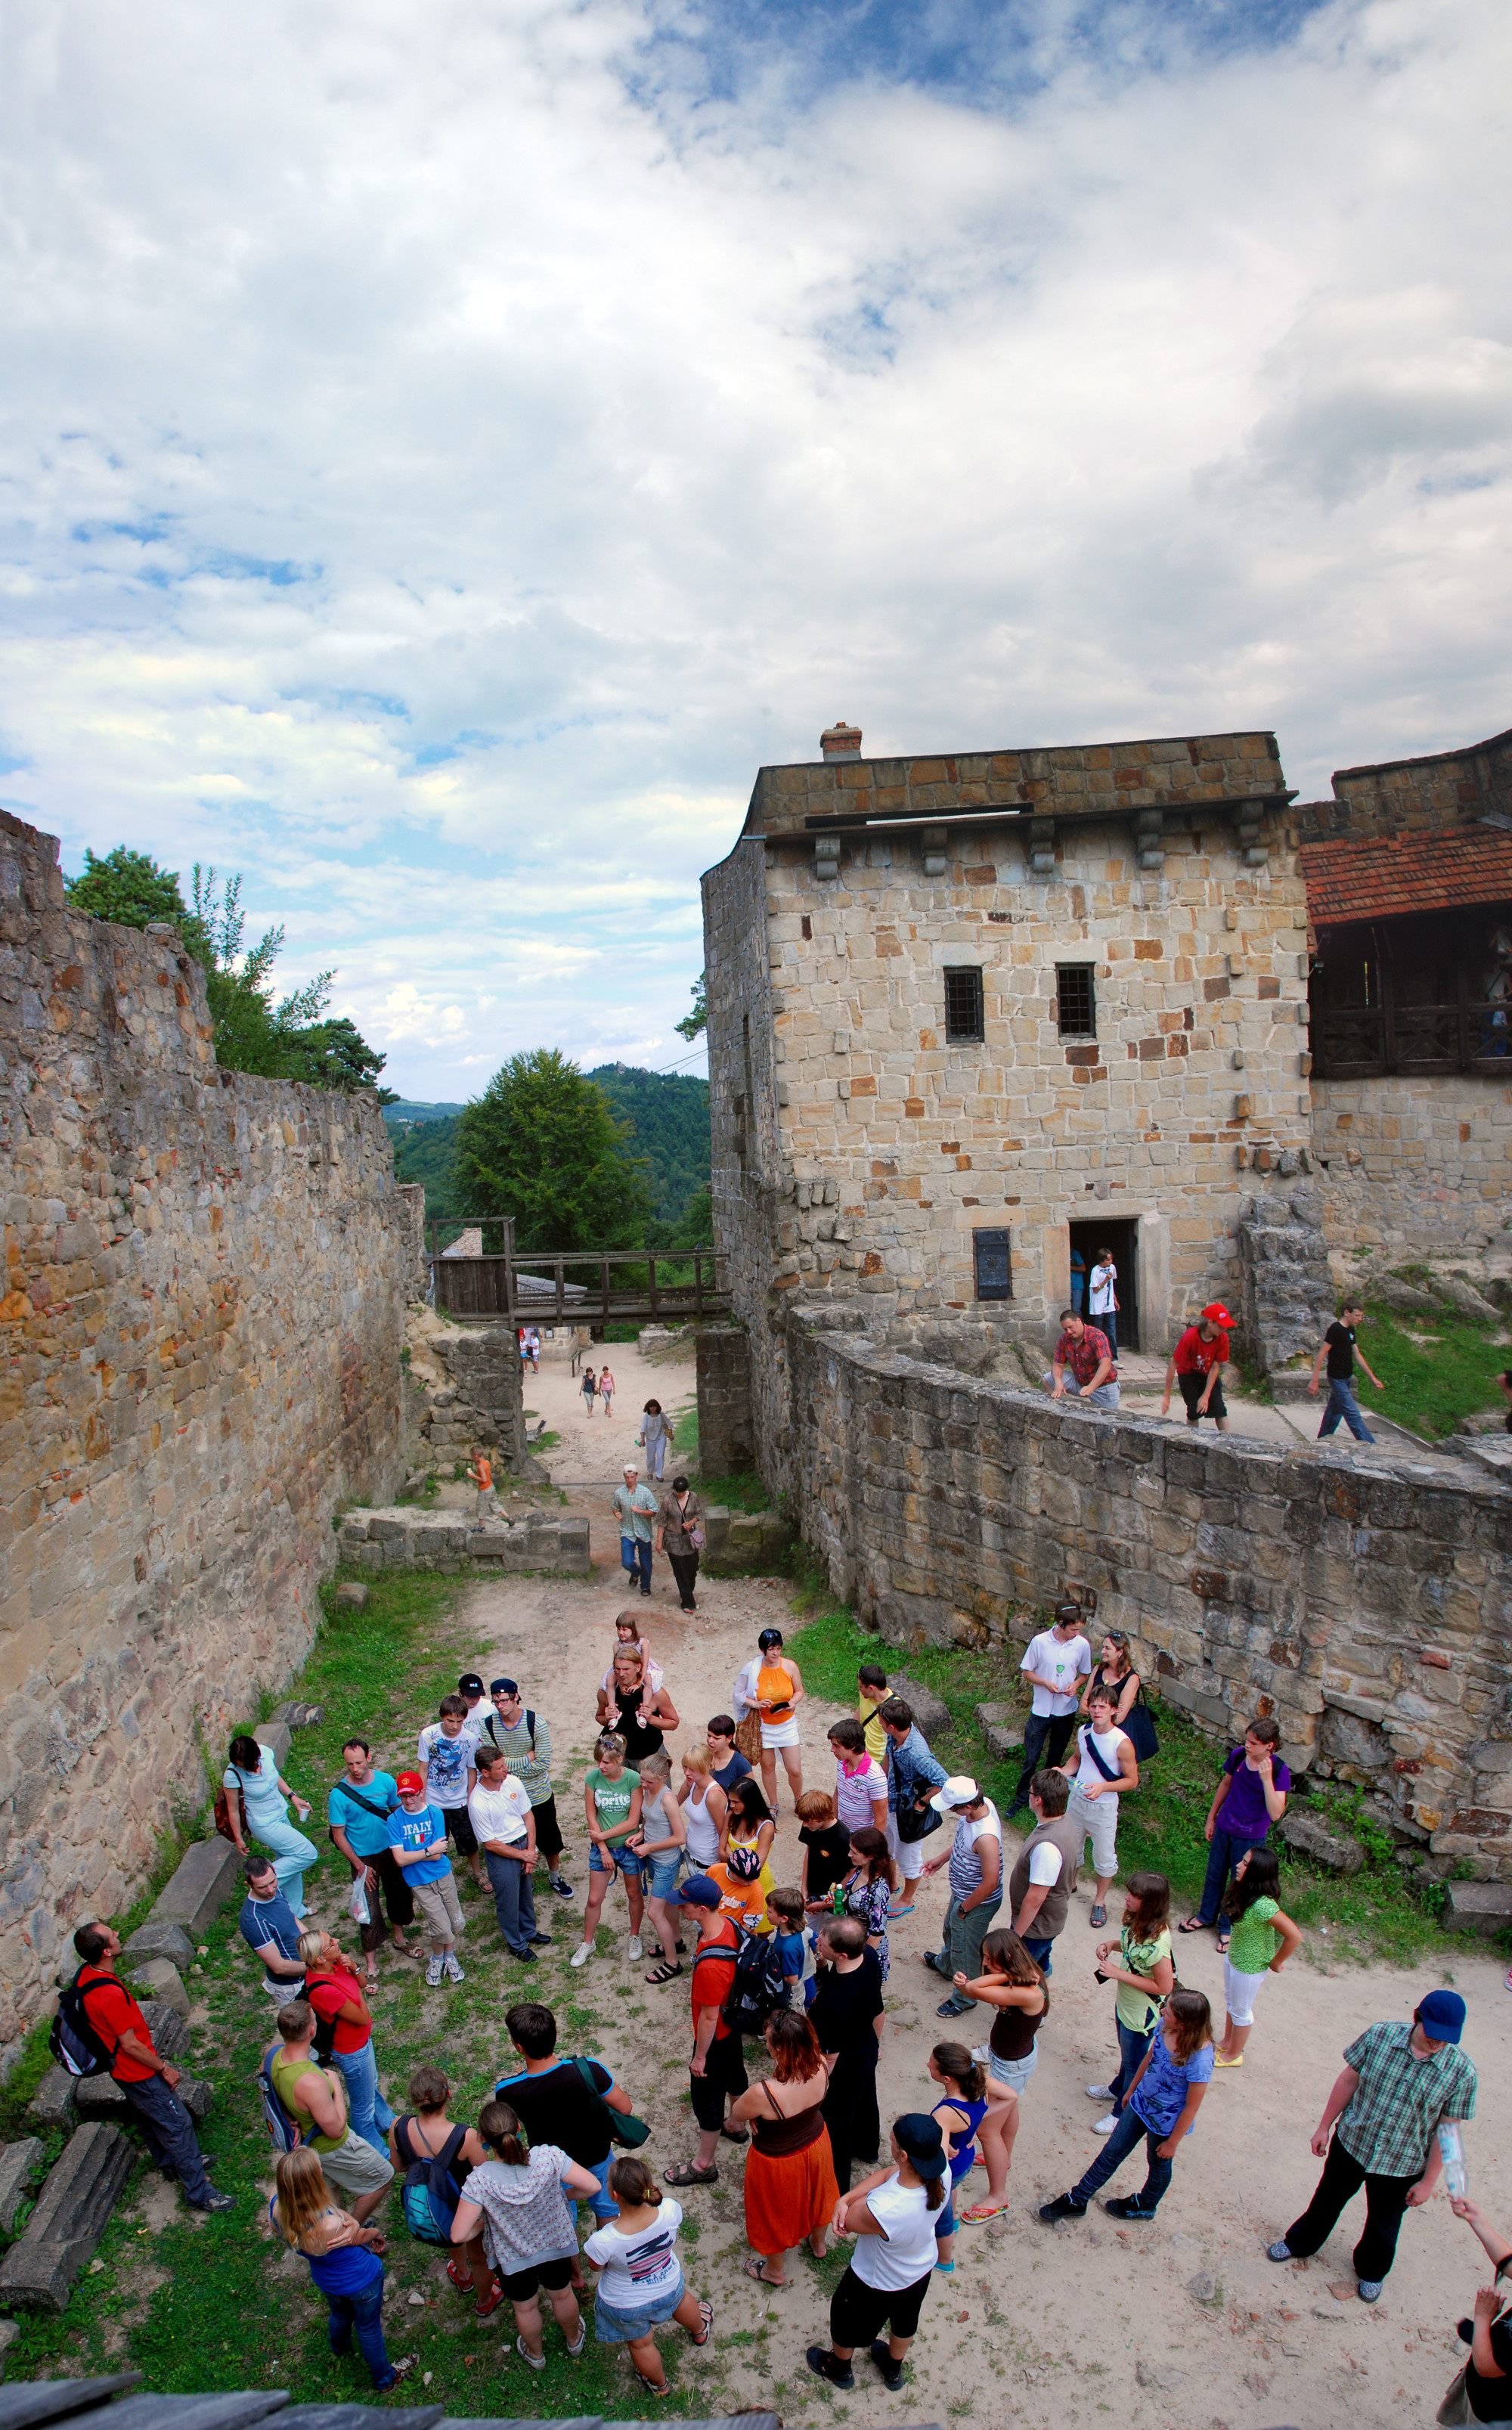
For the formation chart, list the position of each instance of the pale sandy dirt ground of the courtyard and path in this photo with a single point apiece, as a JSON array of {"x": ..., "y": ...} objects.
[{"x": 1037, "y": 2327}]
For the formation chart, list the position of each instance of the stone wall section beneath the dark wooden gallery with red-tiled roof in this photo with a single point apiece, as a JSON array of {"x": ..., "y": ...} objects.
[{"x": 1414, "y": 1165}]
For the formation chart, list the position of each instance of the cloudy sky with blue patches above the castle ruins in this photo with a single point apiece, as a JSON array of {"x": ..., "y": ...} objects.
[{"x": 451, "y": 446}]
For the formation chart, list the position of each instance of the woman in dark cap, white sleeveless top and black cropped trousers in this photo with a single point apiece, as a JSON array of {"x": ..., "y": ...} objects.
[{"x": 891, "y": 2215}]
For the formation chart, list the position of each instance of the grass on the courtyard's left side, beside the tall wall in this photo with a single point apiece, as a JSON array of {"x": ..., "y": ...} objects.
[{"x": 215, "y": 2305}]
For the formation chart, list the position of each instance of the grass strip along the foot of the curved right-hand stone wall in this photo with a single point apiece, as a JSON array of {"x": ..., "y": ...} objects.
[{"x": 1370, "y": 1918}]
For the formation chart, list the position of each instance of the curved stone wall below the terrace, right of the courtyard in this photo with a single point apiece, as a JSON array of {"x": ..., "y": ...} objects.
[{"x": 1367, "y": 1610}]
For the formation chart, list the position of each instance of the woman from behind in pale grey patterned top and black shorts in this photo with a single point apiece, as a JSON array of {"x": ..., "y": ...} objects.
[{"x": 517, "y": 2203}]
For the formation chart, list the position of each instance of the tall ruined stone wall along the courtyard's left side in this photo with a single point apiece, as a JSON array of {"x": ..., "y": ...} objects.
[{"x": 203, "y": 1328}]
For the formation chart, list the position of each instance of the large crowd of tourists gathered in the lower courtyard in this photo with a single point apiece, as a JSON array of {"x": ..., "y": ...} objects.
[{"x": 774, "y": 1901}]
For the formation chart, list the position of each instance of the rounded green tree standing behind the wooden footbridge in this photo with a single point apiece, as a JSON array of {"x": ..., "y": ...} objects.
[{"x": 543, "y": 1146}]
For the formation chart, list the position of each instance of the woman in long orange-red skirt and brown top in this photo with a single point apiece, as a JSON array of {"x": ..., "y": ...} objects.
[{"x": 791, "y": 2188}]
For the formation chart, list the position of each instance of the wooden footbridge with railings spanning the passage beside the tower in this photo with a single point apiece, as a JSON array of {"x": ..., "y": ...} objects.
[{"x": 575, "y": 1287}]
